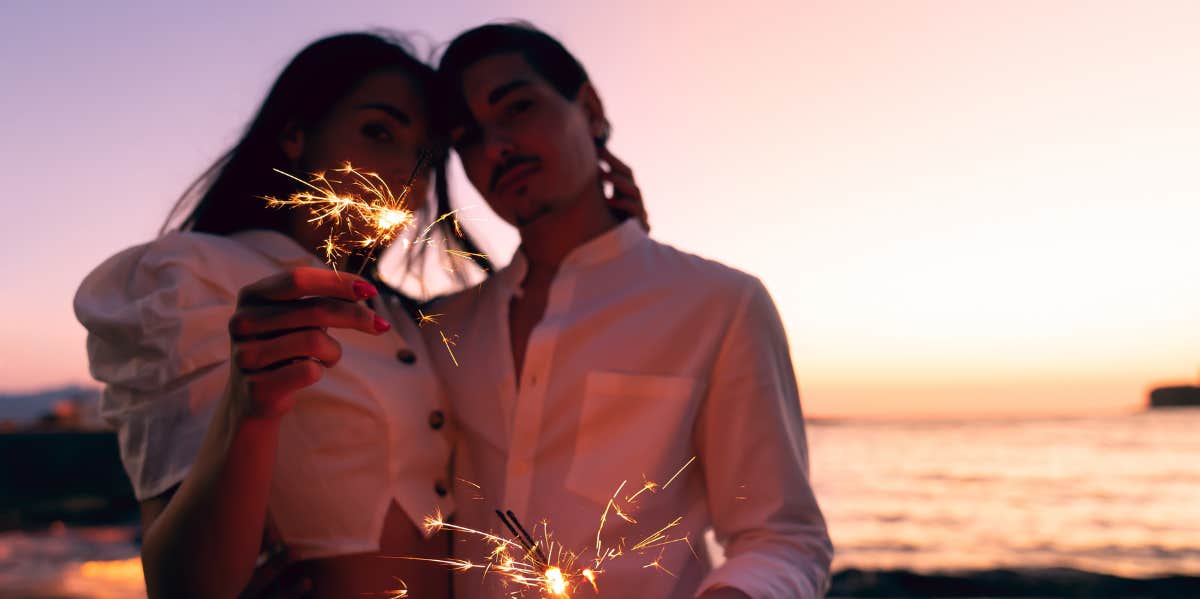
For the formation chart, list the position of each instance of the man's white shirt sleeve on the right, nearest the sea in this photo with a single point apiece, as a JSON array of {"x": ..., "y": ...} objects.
[{"x": 752, "y": 445}]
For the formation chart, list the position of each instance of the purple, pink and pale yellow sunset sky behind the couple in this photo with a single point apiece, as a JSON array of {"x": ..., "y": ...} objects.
[{"x": 961, "y": 208}]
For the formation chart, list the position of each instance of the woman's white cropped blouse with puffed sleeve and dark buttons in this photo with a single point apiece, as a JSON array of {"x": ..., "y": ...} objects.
[{"x": 157, "y": 318}]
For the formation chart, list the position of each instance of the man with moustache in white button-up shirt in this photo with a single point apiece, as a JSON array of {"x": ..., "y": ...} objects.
[{"x": 601, "y": 357}]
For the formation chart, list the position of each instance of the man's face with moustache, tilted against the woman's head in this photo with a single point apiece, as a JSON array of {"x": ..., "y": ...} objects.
[{"x": 530, "y": 151}]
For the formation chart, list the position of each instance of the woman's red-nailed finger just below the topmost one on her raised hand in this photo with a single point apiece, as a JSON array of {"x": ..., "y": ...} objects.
[{"x": 267, "y": 320}]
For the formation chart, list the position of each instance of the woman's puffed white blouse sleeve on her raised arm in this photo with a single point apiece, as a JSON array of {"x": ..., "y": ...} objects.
[{"x": 158, "y": 339}]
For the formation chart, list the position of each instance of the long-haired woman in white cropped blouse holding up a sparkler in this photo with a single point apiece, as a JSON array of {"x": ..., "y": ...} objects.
[{"x": 218, "y": 345}]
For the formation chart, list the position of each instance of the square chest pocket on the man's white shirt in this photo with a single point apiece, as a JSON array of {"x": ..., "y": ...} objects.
[{"x": 633, "y": 428}]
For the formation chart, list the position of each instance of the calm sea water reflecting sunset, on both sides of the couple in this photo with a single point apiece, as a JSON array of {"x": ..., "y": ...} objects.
[{"x": 1111, "y": 494}]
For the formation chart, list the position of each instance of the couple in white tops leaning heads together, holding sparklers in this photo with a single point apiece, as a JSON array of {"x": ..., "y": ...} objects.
[{"x": 256, "y": 391}]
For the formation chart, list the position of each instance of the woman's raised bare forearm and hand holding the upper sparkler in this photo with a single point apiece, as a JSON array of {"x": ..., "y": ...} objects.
[{"x": 206, "y": 541}]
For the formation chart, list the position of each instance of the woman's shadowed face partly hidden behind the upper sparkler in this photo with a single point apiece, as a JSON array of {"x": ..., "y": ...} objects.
[{"x": 380, "y": 128}]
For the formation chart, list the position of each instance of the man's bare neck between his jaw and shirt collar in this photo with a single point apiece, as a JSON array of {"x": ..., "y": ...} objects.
[{"x": 548, "y": 241}]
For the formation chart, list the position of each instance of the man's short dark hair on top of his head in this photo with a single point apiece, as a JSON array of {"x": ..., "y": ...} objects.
[{"x": 547, "y": 56}]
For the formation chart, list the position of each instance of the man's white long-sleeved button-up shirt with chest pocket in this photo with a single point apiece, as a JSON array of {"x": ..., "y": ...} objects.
[{"x": 645, "y": 358}]
